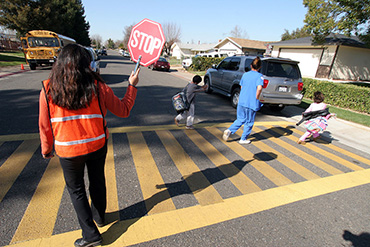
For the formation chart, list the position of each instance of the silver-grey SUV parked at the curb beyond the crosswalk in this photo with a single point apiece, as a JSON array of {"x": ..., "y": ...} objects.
[{"x": 282, "y": 81}]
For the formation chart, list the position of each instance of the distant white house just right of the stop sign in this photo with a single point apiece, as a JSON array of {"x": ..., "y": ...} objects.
[{"x": 180, "y": 50}]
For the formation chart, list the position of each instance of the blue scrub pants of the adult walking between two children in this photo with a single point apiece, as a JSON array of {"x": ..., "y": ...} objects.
[{"x": 246, "y": 116}]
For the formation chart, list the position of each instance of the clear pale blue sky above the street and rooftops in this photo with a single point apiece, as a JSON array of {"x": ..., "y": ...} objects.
[{"x": 200, "y": 21}]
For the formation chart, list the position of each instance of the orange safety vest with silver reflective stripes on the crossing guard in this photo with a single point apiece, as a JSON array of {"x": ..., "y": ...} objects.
[{"x": 76, "y": 132}]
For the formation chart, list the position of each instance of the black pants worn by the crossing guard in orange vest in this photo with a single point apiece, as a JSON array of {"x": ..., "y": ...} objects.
[{"x": 73, "y": 169}]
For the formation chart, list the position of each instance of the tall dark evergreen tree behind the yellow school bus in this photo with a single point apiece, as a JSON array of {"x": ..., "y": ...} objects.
[{"x": 61, "y": 16}]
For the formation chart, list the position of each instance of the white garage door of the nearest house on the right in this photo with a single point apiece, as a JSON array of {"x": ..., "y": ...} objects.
[{"x": 309, "y": 59}]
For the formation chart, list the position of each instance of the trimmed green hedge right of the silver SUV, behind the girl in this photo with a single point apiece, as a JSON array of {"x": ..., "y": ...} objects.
[{"x": 343, "y": 95}]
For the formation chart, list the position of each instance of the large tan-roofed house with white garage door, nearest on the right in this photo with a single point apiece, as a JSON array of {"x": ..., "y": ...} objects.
[{"x": 338, "y": 58}]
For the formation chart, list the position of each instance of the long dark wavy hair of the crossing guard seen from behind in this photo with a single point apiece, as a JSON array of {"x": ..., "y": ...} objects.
[{"x": 71, "y": 79}]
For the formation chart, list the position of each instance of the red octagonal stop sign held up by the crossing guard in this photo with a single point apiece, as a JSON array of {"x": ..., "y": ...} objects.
[{"x": 146, "y": 39}]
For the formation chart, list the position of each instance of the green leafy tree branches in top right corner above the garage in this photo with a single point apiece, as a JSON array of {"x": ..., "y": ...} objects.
[{"x": 338, "y": 16}]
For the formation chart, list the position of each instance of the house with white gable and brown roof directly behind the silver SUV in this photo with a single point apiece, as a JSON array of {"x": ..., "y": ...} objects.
[{"x": 233, "y": 46}]
